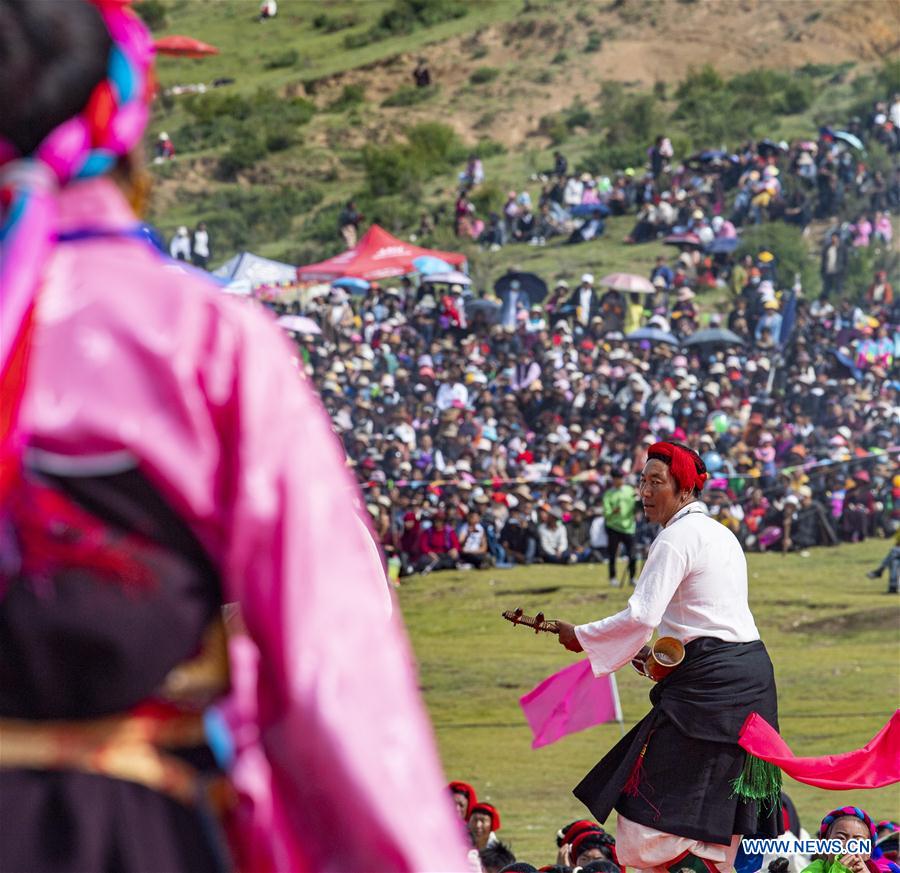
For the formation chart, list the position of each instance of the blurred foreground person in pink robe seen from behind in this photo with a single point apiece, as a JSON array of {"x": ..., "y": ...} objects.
[{"x": 162, "y": 436}]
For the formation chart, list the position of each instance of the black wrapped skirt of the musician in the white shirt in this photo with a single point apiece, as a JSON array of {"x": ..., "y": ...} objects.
[{"x": 682, "y": 784}]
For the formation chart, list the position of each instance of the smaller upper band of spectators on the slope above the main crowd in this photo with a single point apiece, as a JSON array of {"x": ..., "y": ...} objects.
[{"x": 710, "y": 194}]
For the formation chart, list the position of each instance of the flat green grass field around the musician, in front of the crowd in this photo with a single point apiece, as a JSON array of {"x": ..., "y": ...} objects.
[{"x": 832, "y": 635}]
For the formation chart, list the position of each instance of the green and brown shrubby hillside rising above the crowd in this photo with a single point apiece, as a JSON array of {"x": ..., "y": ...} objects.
[{"x": 321, "y": 107}]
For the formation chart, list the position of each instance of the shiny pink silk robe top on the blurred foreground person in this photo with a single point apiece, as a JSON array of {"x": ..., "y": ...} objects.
[{"x": 136, "y": 356}]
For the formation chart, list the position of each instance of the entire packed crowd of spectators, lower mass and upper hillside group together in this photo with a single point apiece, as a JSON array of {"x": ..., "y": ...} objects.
[{"x": 487, "y": 431}]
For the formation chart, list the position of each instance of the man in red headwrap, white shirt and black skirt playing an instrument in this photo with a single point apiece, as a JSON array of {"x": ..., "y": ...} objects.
[{"x": 683, "y": 789}]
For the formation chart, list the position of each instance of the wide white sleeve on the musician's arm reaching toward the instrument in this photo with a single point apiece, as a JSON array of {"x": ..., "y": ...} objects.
[{"x": 612, "y": 642}]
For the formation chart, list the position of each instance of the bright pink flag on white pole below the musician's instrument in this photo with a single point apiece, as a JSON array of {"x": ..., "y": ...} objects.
[{"x": 570, "y": 701}]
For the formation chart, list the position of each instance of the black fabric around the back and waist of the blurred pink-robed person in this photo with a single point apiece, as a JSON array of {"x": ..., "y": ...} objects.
[{"x": 79, "y": 645}]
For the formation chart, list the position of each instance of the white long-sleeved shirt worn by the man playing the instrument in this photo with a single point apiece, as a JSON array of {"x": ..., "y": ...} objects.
[{"x": 694, "y": 584}]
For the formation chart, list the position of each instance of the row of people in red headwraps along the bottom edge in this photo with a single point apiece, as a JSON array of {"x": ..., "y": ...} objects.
[{"x": 585, "y": 846}]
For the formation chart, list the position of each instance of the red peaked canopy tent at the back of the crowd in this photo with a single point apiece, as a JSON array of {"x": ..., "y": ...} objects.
[{"x": 378, "y": 255}]
